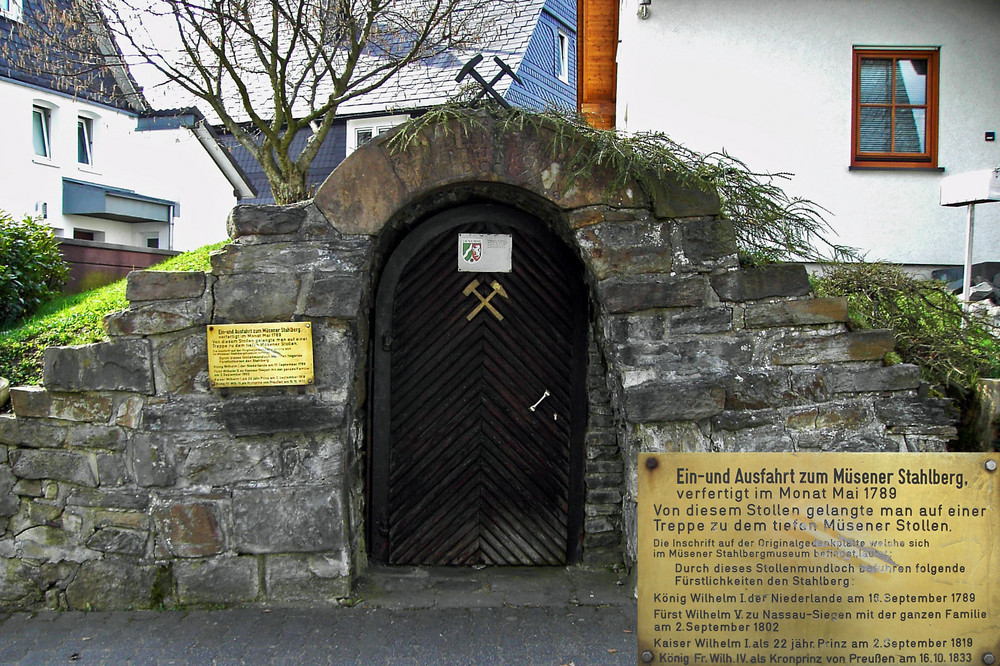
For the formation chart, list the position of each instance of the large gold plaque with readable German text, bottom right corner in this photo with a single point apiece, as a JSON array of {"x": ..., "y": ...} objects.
[{"x": 819, "y": 558}]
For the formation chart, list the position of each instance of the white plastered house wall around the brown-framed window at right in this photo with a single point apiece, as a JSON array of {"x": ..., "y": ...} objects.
[{"x": 769, "y": 81}]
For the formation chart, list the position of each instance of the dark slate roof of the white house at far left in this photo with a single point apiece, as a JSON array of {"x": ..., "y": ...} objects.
[{"x": 28, "y": 56}]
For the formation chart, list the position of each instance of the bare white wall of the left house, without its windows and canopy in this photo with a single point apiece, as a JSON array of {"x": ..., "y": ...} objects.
[{"x": 164, "y": 164}]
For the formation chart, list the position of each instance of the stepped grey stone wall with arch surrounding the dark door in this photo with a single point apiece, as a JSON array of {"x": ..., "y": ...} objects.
[{"x": 127, "y": 481}]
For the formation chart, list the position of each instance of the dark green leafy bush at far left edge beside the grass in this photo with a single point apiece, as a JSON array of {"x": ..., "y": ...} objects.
[{"x": 32, "y": 269}]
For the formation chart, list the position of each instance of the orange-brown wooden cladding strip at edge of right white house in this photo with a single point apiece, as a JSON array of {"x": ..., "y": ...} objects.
[{"x": 597, "y": 69}]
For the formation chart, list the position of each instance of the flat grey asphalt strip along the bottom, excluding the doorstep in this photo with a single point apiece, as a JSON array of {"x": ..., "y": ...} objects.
[{"x": 549, "y": 635}]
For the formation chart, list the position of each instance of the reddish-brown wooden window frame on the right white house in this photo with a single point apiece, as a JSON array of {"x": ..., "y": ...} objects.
[{"x": 891, "y": 159}]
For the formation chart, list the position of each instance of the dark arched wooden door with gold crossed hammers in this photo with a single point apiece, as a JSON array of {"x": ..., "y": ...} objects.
[{"x": 479, "y": 398}]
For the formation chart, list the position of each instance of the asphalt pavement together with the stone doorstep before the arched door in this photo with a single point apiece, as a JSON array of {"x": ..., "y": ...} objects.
[{"x": 562, "y": 616}]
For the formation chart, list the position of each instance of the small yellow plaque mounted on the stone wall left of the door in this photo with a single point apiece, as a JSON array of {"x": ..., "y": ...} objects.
[{"x": 260, "y": 354}]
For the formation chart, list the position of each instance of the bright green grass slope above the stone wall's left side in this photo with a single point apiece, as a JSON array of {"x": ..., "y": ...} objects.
[{"x": 75, "y": 319}]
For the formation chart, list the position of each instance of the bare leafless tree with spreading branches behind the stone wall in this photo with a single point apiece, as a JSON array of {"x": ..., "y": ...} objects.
[{"x": 274, "y": 70}]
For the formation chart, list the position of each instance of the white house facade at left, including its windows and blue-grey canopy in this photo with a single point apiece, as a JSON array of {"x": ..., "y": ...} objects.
[{"x": 94, "y": 176}]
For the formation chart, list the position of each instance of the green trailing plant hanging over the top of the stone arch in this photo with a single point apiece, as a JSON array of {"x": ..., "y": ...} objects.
[{"x": 769, "y": 224}]
